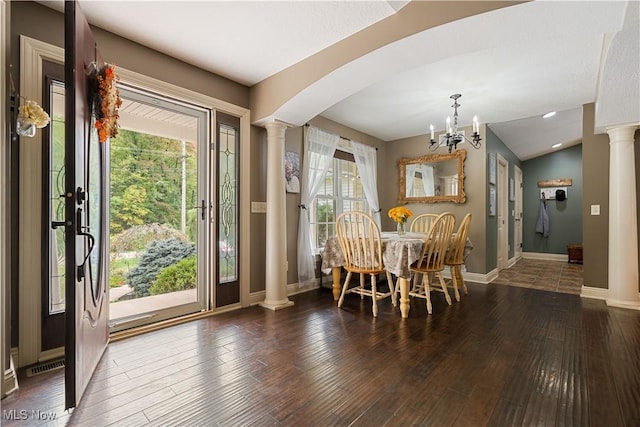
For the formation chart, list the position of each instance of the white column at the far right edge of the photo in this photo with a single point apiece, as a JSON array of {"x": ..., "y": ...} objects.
[{"x": 623, "y": 224}]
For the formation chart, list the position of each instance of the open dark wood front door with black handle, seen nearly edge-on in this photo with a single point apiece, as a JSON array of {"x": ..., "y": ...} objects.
[{"x": 85, "y": 206}]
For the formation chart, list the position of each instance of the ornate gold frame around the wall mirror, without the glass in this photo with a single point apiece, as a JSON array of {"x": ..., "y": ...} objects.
[{"x": 459, "y": 155}]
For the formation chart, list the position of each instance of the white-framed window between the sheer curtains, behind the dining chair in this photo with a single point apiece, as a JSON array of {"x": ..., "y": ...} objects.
[{"x": 341, "y": 191}]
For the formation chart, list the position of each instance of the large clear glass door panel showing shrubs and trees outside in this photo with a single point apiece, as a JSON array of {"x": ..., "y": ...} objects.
[{"x": 159, "y": 208}]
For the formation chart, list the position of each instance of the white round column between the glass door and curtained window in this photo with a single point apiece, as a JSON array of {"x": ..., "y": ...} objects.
[{"x": 276, "y": 239}]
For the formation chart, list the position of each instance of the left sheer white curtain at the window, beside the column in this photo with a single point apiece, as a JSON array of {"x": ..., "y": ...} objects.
[{"x": 319, "y": 148}]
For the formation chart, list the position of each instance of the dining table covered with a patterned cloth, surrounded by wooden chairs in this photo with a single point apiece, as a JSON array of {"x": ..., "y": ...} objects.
[{"x": 399, "y": 251}]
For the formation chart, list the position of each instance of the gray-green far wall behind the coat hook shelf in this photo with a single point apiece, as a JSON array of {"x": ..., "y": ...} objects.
[{"x": 565, "y": 218}]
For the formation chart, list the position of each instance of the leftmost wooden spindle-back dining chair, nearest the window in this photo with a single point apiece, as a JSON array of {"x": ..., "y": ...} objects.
[{"x": 359, "y": 238}]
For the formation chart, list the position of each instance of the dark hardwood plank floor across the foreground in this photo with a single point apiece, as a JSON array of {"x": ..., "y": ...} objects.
[{"x": 502, "y": 356}]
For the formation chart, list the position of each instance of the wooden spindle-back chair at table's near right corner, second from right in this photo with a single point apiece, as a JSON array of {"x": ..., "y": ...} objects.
[{"x": 431, "y": 261}]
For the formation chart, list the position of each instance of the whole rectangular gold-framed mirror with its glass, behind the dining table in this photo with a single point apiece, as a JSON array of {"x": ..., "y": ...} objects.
[{"x": 432, "y": 178}]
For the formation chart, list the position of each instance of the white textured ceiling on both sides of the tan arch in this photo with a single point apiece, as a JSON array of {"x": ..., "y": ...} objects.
[{"x": 511, "y": 65}]
